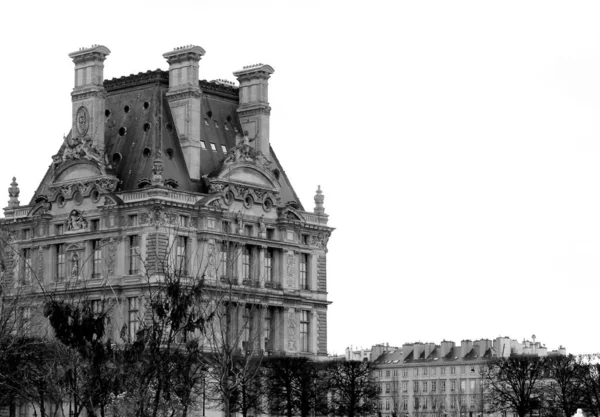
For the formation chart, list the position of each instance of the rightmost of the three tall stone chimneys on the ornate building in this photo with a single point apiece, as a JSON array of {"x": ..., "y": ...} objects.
[{"x": 254, "y": 111}]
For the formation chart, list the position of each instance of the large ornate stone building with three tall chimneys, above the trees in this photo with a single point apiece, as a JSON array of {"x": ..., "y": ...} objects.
[{"x": 163, "y": 161}]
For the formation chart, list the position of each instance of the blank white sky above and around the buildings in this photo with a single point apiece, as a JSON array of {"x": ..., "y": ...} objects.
[{"x": 457, "y": 144}]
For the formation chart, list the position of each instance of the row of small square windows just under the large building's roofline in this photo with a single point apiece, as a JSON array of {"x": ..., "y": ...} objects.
[{"x": 182, "y": 221}]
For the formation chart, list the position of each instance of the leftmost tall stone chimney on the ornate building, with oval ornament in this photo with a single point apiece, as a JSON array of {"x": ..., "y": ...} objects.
[{"x": 88, "y": 95}]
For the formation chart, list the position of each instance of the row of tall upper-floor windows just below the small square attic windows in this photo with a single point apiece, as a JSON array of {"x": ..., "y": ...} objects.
[{"x": 69, "y": 265}]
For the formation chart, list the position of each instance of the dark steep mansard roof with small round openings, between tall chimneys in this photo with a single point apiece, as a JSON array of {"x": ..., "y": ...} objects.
[{"x": 139, "y": 127}]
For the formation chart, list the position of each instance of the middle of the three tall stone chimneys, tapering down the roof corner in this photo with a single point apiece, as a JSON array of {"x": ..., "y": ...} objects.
[{"x": 184, "y": 100}]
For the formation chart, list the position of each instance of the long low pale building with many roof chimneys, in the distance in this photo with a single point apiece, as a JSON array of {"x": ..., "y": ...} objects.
[{"x": 425, "y": 379}]
